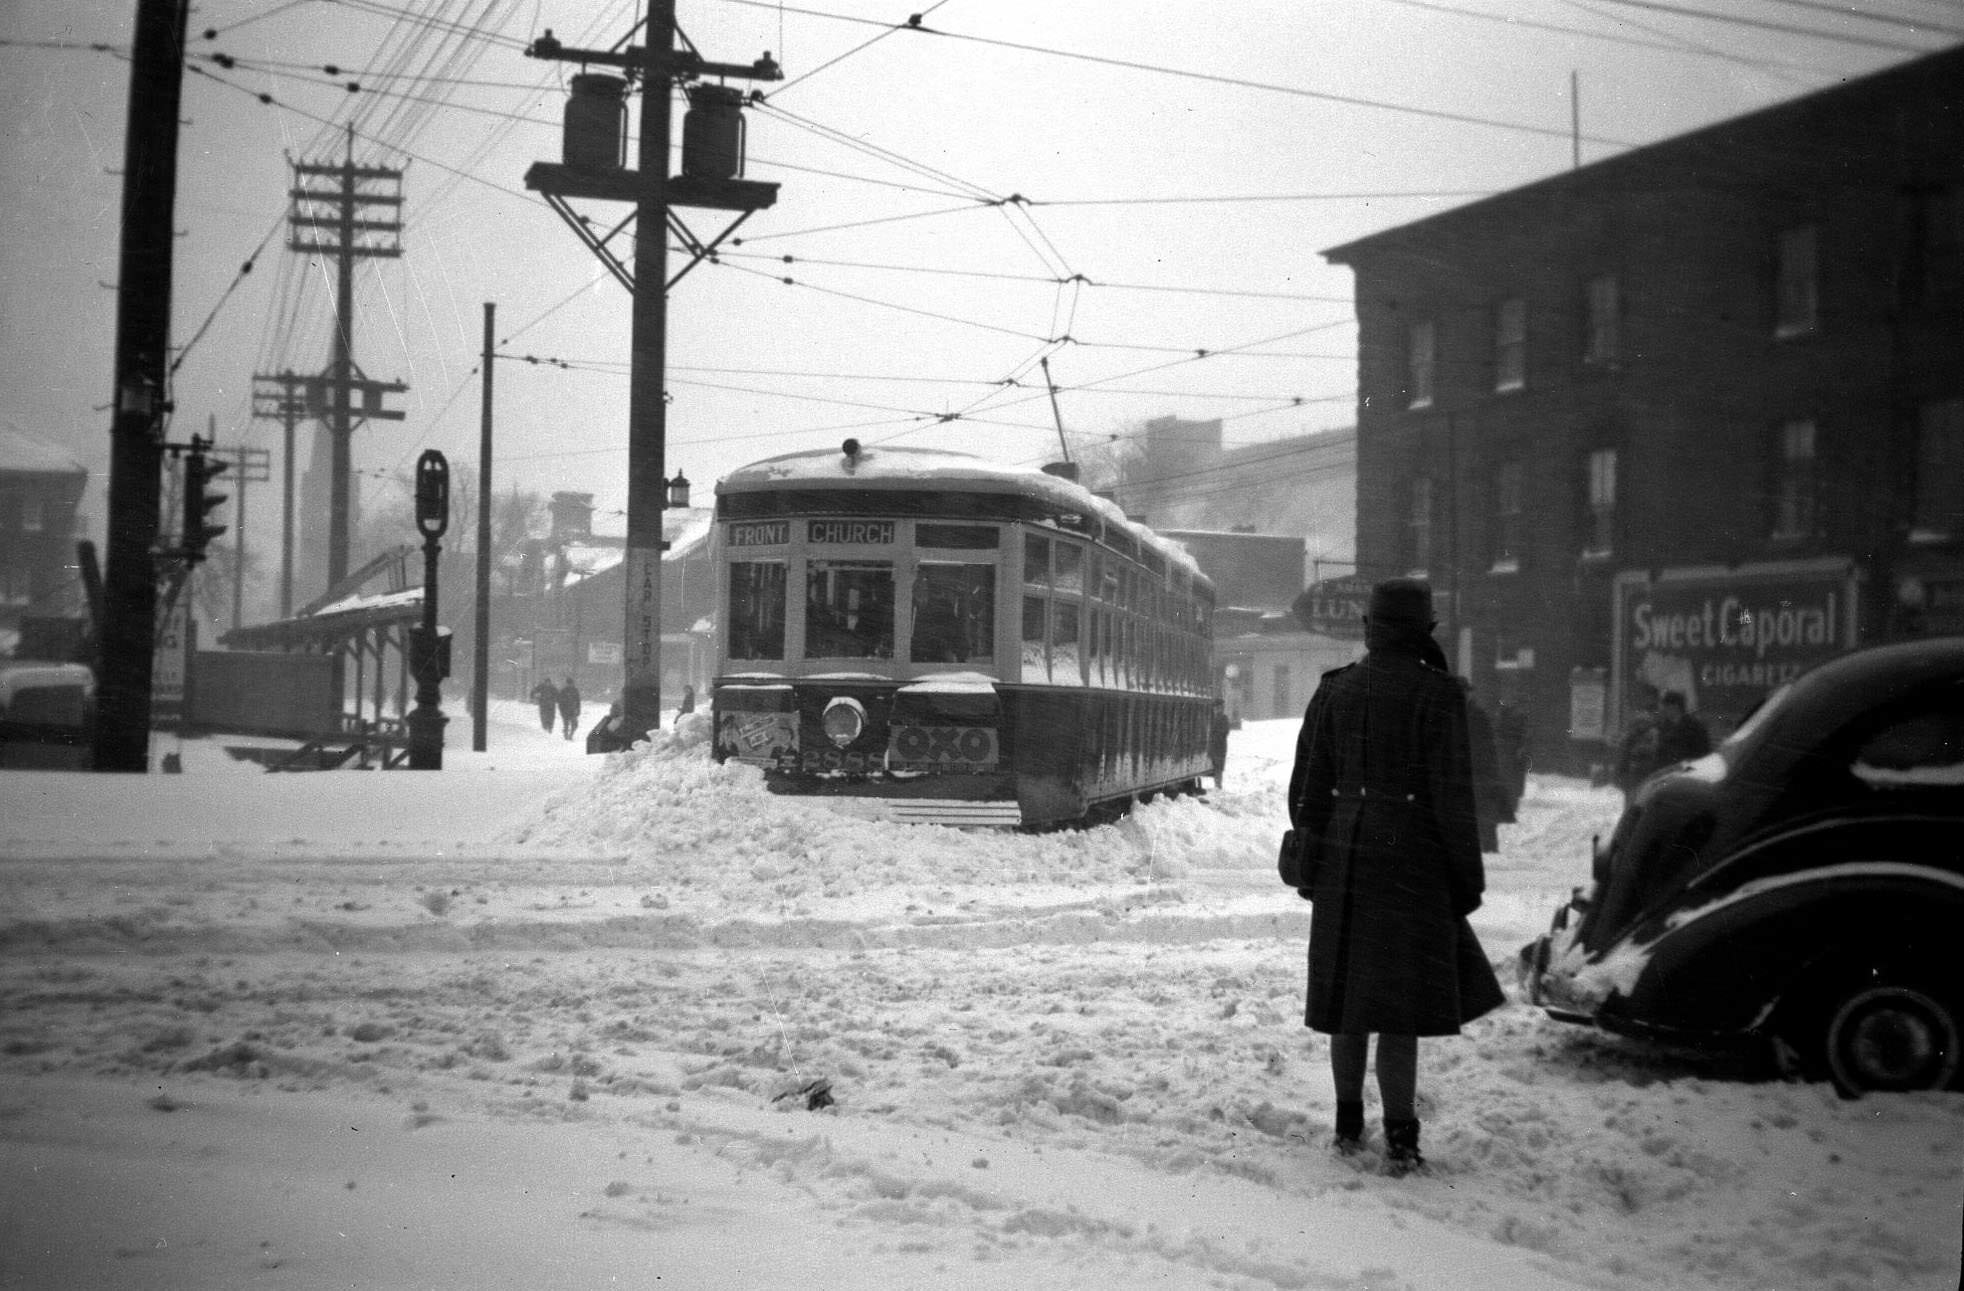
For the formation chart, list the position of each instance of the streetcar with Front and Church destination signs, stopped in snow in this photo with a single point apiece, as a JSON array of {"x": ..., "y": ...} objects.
[{"x": 932, "y": 638}]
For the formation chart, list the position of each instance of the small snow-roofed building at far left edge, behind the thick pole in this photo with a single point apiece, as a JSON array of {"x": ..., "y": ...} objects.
[{"x": 40, "y": 490}]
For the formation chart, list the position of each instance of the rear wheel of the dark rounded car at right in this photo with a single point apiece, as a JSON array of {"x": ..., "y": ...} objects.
[{"x": 1890, "y": 1037}]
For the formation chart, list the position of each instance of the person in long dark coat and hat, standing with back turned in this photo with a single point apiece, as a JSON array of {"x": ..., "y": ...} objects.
[{"x": 1384, "y": 793}]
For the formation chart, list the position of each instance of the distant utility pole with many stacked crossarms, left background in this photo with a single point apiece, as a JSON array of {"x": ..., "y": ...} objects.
[{"x": 335, "y": 215}]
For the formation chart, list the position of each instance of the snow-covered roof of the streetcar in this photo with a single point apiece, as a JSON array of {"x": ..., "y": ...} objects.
[{"x": 891, "y": 469}]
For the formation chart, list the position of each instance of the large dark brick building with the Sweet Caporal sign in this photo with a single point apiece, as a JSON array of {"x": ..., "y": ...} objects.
[{"x": 1690, "y": 418}]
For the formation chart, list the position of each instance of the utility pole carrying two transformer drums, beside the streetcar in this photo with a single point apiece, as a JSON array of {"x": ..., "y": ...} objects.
[{"x": 712, "y": 168}]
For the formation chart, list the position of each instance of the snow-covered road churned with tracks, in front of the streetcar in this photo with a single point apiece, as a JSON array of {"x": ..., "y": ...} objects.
[{"x": 1064, "y": 1060}]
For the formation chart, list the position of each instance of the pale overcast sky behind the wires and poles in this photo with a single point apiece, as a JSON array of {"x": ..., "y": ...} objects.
[{"x": 1187, "y": 158}]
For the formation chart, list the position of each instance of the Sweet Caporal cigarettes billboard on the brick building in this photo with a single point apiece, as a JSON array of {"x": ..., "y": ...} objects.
[{"x": 1727, "y": 642}]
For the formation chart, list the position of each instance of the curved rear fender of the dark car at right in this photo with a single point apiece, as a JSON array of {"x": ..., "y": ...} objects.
[{"x": 1723, "y": 968}]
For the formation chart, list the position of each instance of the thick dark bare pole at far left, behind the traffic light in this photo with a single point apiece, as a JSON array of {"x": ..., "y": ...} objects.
[{"x": 121, "y": 738}]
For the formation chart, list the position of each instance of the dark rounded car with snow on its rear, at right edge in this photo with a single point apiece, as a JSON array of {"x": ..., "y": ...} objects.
[{"x": 1800, "y": 887}]
